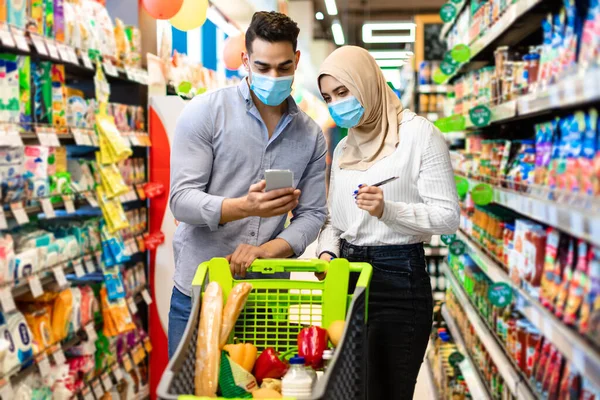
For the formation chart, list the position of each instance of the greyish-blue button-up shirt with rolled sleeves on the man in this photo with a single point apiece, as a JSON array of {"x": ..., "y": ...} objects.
[{"x": 221, "y": 147}]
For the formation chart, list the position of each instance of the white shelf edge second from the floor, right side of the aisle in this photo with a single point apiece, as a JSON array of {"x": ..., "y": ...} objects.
[{"x": 511, "y": 376}]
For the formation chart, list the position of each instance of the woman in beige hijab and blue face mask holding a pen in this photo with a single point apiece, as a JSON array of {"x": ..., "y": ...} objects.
[{"x": 386, "y": 226}]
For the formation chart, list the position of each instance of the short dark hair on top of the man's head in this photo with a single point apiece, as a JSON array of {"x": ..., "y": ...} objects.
[{"x": 272, "y": 27}]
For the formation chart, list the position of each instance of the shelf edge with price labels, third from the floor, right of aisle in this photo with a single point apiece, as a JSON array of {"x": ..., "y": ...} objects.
[{"x": 570, "y": 343}]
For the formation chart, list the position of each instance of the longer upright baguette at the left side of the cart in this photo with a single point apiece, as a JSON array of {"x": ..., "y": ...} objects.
[{"x": 208, "y": 353}]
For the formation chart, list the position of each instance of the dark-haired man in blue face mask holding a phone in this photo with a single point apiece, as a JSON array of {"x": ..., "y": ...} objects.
[{"x": 224, "y": 142}]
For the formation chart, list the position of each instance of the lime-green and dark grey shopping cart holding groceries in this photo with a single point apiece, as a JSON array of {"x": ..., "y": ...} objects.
[{"x": 276, "y": 311}]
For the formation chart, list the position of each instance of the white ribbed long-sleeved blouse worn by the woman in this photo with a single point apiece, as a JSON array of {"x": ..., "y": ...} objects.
[{"x": 421, "y": 203}]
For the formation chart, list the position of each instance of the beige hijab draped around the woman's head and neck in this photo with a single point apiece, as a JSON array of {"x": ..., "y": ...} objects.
[{"x": 376, "y": 135}]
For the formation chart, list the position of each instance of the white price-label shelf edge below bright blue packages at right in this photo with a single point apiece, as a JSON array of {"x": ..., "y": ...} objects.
[{"x": 569, "y": 218}]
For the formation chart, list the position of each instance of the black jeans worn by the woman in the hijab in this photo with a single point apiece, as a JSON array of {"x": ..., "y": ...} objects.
[{"x": 399, "y": 316}]
